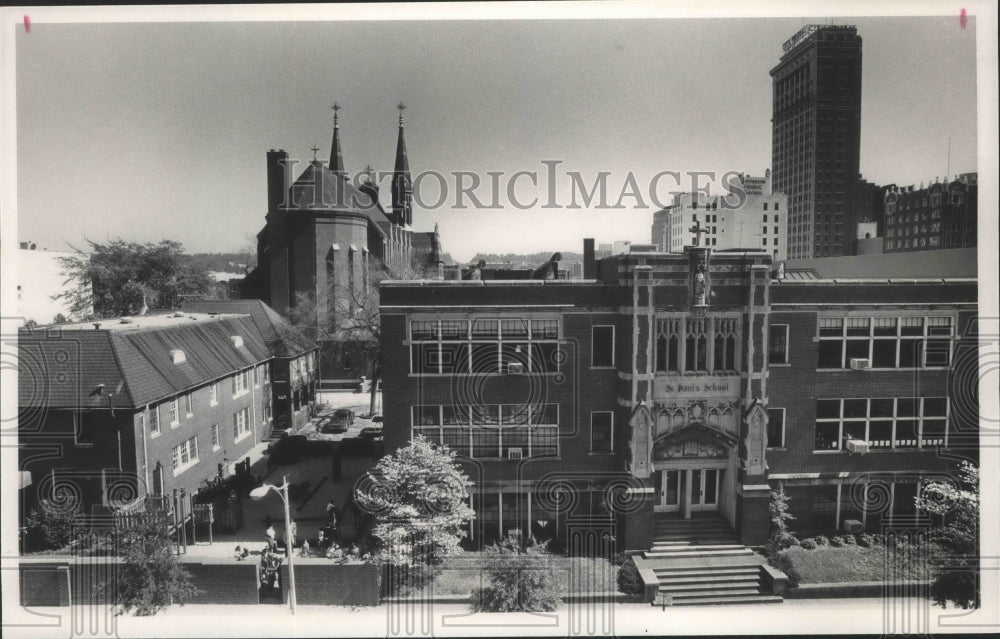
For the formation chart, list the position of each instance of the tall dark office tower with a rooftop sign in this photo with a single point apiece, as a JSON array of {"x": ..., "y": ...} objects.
[{"x": 816, "y": 137}]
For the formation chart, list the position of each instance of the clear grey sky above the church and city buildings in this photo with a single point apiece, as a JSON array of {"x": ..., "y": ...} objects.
[{"x": 159, "y": 130}]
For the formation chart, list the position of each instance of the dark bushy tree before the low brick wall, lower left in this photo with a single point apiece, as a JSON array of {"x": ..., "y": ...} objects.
[{"x": 149, "y": 577}]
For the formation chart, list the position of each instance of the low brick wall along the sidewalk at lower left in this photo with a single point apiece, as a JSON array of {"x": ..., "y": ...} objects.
[{"x": 64, "y": 581}]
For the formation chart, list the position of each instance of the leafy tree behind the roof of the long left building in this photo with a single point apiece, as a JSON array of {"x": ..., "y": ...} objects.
[{"x": 117, "y": 277}]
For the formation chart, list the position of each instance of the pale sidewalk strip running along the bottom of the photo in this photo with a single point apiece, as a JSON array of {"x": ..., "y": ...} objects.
[{"x": 791, "y": 617}]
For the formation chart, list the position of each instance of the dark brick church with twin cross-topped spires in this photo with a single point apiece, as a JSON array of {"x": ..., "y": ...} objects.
[{"x": 327, "y": 237}]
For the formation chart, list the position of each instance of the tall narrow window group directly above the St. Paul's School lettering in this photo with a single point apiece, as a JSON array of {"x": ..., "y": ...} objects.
[{"x": 697, "y": 344}]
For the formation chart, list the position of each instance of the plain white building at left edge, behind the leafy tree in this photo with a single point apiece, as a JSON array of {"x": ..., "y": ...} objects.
[{"x": 40, "y": 277}]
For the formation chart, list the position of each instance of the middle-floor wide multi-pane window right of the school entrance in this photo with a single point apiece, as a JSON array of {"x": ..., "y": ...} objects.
[{"x": 902, "y": 422}]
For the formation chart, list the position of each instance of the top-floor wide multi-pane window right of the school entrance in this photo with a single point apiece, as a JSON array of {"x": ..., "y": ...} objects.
[{"x": 886, "y": 342}]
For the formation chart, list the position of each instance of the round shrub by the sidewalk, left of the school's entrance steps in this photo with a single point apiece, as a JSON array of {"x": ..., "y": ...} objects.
[{"x": 519, "y": 580}]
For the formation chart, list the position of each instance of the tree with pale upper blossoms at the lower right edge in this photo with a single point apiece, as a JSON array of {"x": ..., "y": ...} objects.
[{"x": 958, "y": 507}]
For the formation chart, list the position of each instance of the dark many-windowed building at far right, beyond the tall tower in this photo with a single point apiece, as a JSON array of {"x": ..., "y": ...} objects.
[{"x": 942, "y": 215}]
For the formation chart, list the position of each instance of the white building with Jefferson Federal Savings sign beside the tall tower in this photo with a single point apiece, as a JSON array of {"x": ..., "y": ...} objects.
[{"x": 758, "y": 222}]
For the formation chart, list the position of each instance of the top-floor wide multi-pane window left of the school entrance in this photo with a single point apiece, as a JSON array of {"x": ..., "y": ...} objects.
[{"x": 485, "y": 345}]
